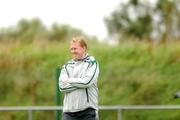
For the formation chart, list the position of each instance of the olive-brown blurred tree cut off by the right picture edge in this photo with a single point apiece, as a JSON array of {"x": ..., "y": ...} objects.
[{"x": 169, "y": 19}]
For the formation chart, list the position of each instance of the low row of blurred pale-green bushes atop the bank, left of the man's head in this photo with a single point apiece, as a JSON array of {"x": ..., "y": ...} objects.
[{"x": 29, "y": 30}]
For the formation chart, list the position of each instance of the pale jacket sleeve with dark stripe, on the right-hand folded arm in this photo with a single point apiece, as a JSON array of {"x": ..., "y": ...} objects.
[{"x": 88, "y": 78}]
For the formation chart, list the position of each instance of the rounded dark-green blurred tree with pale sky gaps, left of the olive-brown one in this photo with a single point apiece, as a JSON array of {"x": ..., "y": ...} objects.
[{"x": 130, "y": 19}]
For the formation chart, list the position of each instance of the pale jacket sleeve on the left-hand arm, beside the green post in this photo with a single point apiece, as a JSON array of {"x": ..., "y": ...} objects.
[{"x": 64, "y": 85}]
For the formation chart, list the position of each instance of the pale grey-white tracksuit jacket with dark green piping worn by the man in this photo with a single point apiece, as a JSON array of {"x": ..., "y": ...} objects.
[{"x": 78, "y": 81}]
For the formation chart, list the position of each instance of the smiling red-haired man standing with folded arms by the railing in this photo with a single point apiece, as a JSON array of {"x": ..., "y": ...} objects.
[{"x": 78, "y": 82}]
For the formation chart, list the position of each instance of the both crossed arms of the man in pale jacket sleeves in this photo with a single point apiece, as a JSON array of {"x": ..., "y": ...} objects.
[{"x": 68, "y": 84}]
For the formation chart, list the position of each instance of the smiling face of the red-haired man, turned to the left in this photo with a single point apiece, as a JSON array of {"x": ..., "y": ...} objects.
[{"x": 77, "y": 51}]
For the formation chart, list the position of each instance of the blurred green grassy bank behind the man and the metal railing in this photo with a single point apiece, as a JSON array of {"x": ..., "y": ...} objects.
[{"x": 130, "y": 74}]
